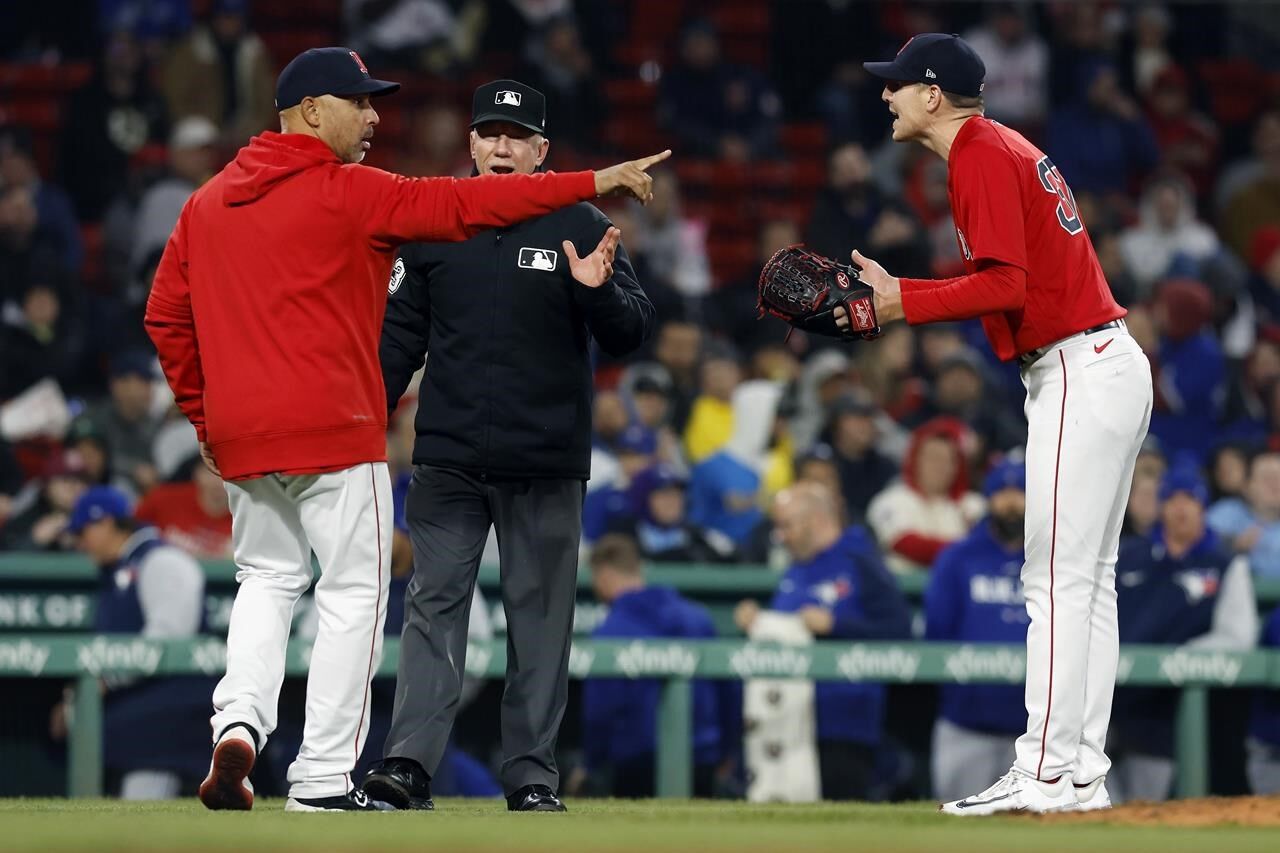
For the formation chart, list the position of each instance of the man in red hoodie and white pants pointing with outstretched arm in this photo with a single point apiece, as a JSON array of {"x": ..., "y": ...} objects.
[{"x": 267, "y": 312}]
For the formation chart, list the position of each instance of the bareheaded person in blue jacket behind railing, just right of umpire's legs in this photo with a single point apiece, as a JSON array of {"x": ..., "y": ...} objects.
[{"x": 620, "y": 715}]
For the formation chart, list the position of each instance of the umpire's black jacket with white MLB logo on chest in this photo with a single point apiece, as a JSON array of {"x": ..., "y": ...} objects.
[{"x": 508, "y": 391}]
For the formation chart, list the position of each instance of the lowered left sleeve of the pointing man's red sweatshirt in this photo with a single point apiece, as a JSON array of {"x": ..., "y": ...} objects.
[{"x": 172, "y": 327}]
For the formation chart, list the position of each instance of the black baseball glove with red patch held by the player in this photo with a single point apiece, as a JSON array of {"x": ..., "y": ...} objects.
[{"x": 804, "y": 290}]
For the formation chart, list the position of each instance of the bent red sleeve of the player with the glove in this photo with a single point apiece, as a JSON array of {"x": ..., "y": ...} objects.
[{"x": 986, "y": 200}]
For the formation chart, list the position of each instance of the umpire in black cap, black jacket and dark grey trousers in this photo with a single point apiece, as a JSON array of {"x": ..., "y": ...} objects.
[{"x": 505, "y": 440}]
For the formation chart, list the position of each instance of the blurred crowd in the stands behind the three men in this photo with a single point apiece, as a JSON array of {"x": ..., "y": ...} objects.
[{"x": 1164, "y": 120}]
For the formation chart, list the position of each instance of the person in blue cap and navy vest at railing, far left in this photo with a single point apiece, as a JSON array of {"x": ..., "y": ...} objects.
[{"x": 154, "y": 590}]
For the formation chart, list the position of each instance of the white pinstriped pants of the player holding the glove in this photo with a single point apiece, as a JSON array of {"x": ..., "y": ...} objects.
[{"x": 1089, "y": 407}]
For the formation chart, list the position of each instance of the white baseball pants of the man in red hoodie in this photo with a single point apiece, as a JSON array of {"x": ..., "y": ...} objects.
[{"x": 277, "y": 522}]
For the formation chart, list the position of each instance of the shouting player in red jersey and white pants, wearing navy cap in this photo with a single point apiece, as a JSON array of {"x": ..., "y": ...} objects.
[{"x": 1032, "y": 276}]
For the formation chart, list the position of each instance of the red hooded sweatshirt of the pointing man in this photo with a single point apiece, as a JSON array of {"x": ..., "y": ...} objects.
[{"x": 268, "y": 304}]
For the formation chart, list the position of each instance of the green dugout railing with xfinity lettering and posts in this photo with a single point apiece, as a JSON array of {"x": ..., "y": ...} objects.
[{"x": 85, "y": 659}]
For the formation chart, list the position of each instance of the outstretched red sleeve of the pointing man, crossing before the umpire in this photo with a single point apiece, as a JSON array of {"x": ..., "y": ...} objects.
[{"x": 397, "y": 209}]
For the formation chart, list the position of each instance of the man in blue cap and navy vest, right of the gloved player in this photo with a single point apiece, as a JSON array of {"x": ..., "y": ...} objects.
[{"x": 1177, "y": 587}]
